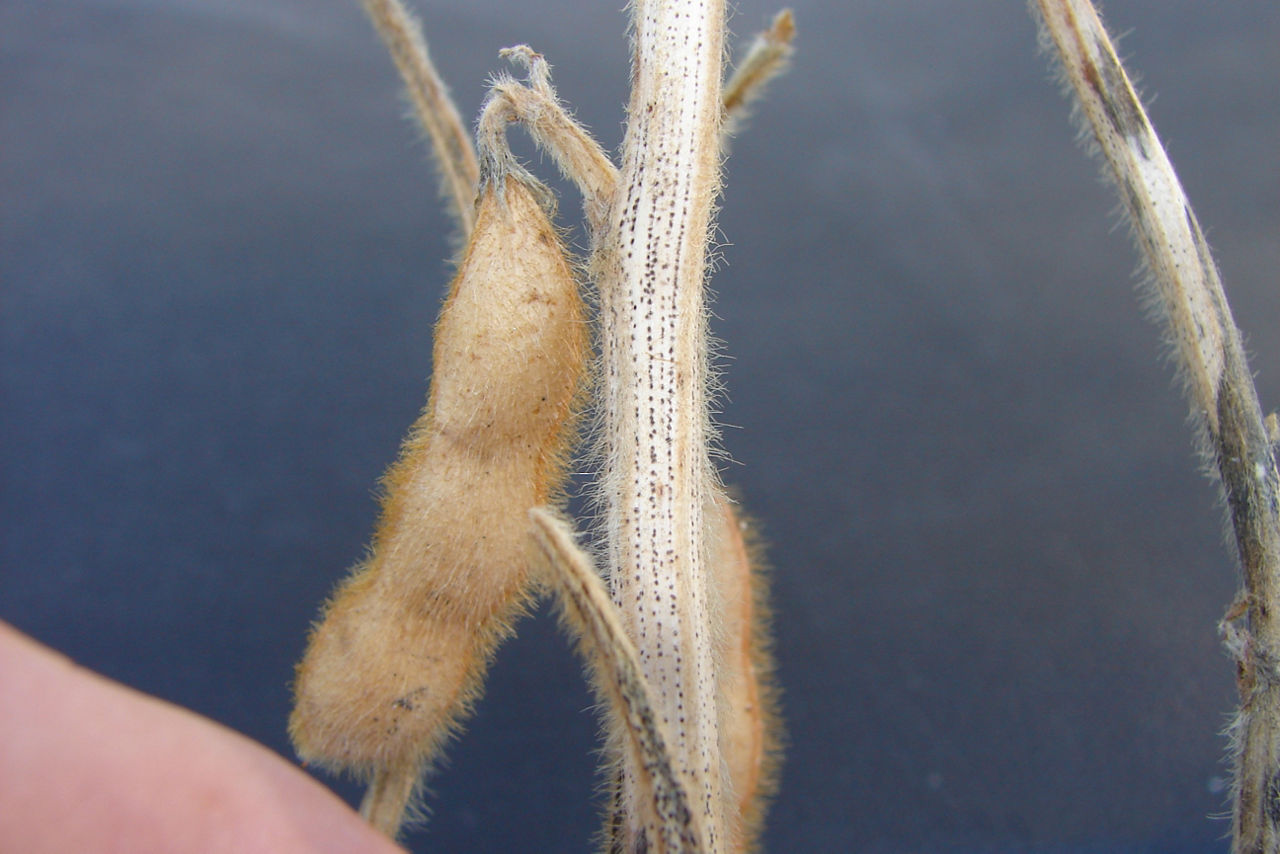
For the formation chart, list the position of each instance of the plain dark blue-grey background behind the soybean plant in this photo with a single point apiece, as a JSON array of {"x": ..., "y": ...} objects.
[{"x": 998, "y": 569}]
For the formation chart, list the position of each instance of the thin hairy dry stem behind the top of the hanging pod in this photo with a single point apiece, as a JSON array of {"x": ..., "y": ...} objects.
[{"x": 460, "y": 171}]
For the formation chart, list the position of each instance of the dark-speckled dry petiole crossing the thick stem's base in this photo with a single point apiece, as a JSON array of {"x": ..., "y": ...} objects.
[{"x": 615, "y": 666}]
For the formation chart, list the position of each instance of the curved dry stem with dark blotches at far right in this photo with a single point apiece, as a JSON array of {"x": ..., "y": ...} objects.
[{"x": 1224, "y": 400}]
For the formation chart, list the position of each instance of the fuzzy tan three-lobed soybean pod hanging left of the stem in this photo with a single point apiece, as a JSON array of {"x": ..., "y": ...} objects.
[{"x": 405, "y": 642}]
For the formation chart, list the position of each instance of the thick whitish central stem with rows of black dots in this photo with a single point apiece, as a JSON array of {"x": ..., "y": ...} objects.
[{"x": 655, "y": 382}]
